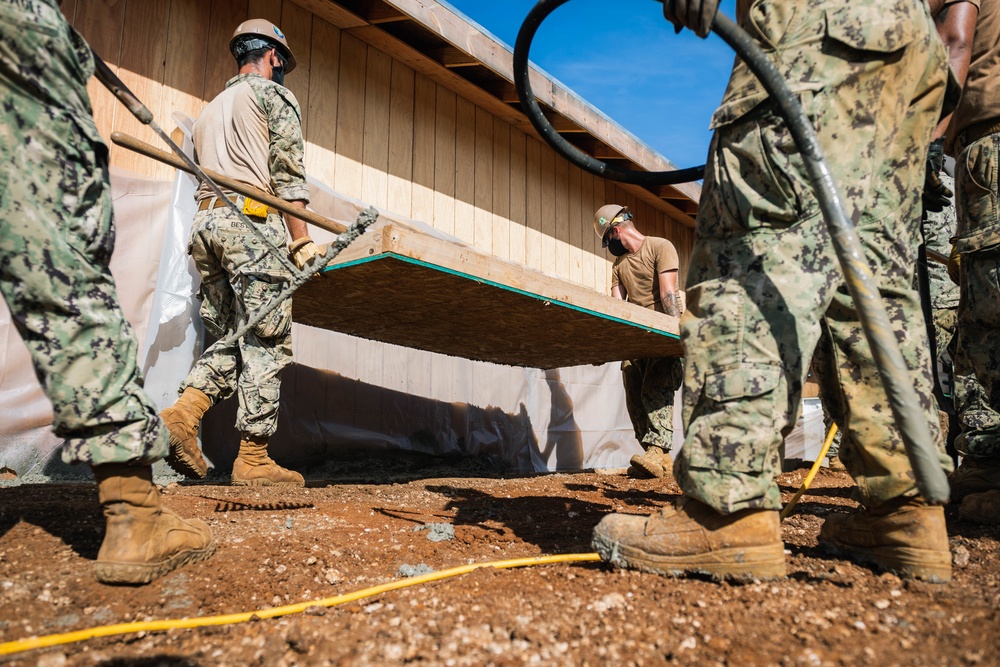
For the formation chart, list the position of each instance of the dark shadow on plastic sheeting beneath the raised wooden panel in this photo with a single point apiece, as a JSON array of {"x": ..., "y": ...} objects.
[{"x": 328, "y": 422}]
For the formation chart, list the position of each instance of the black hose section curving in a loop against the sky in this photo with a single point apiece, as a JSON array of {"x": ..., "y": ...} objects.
[{"x": 586, "y": 162}]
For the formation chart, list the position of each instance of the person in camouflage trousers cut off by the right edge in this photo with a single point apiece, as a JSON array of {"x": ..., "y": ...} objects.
[{"x": 973, "y": 138}]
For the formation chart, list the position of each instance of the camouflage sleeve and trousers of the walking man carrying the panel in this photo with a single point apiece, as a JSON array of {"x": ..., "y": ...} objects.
[{"x": 239, "y": 276}]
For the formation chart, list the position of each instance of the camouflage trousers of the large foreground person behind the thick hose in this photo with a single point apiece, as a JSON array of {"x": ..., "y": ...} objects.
[{"x": 765, "y": 288}]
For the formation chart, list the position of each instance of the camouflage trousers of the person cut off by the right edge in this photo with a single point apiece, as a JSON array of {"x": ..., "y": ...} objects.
[{"x": 978, "y": 355}]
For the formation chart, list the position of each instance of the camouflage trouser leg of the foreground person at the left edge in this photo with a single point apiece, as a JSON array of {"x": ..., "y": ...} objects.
[{"x": 56, "y": 241}]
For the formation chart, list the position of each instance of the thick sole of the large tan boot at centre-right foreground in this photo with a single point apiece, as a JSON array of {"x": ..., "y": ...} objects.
[{"x": 742, "y": 564}]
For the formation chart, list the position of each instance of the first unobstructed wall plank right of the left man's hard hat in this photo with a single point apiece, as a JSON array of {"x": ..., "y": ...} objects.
[{"x": 324, "y": 93}]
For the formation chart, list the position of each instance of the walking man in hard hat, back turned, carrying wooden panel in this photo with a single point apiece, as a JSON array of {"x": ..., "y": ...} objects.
[{"x": 251, "y": 132}]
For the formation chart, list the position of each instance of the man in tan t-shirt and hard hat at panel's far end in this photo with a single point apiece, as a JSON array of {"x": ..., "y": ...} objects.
[{"x": 645, "y": 273}]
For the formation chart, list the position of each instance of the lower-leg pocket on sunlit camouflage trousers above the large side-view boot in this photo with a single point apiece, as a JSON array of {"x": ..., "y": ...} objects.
[{"x": 736, "y": 416}]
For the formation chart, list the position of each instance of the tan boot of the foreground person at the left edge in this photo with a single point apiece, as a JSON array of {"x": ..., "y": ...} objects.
[{"x": 143, "y": 540}]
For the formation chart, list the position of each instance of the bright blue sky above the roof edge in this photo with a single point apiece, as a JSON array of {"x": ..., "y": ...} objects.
[{"x": 625, "y": 59}]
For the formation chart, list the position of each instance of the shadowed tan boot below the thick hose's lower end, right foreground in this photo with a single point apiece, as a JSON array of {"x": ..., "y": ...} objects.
[{"x": 906, "y": 536}]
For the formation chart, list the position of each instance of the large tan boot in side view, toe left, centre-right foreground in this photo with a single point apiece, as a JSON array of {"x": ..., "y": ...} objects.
[{"x": 690, "y": 537}]
